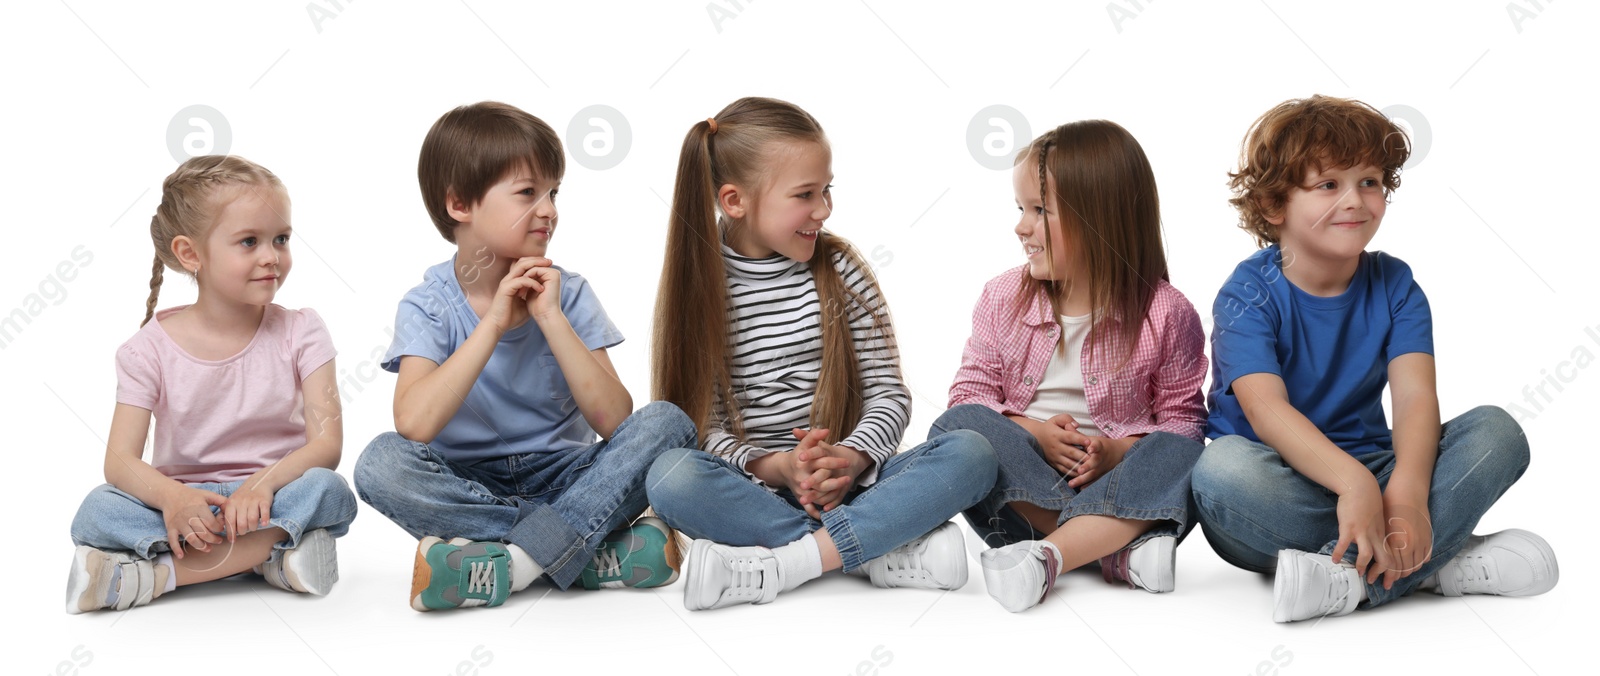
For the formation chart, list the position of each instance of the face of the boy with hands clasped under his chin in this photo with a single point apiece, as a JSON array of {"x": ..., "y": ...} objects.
[{"x": 514, "y": 220}]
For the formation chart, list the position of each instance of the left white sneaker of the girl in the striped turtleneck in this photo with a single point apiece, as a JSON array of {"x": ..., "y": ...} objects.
[{"x": 719, "y": 576}]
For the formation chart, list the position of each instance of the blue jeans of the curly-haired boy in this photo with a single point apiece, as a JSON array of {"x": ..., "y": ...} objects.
[{"x": 1252, "y": 504}]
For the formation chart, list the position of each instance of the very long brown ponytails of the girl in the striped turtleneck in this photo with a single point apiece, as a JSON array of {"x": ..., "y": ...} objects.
[{"x": 692, "y": 356}]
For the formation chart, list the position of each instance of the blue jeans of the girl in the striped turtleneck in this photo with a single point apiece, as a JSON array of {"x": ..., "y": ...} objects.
[{"x": 710, "y": 499}]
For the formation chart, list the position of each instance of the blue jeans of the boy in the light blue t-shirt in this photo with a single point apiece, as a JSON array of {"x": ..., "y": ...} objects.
[{"x": 554, "y": 505}]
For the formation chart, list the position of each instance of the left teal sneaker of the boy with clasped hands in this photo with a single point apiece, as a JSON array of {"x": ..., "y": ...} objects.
[{"x": 460, "y": 574}]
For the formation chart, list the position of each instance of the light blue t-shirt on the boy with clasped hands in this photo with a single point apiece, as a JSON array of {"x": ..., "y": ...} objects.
[{"x": 521, "y": 403}]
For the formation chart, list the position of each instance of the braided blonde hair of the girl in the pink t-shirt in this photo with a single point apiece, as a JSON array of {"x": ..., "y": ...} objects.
[{"x": 193, "y": 198}]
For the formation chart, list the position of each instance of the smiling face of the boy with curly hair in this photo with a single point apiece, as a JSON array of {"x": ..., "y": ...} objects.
[{"x": 1334, "y": 215}]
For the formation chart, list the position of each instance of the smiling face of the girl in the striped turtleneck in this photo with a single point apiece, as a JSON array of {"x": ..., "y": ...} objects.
[{"x": 786, "y": 212}]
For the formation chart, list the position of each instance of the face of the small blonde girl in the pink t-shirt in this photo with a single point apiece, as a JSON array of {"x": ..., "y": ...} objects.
[{"x": 246, "y": 259}]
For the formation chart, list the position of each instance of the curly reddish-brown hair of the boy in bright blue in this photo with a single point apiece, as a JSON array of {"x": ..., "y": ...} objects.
[{"x": 1303, "y": 135}]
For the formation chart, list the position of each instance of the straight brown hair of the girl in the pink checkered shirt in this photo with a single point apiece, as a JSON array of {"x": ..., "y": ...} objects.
[{"x": 1110, "y": 211}]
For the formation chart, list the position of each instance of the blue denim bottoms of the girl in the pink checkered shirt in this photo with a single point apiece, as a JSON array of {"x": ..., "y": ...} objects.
[{"x": 1150, "y": 485}]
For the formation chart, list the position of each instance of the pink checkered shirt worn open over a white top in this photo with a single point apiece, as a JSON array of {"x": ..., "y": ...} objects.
[{"x": 1159, "y": 390}]
